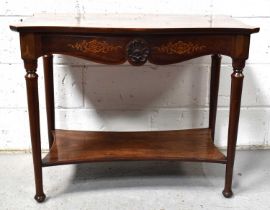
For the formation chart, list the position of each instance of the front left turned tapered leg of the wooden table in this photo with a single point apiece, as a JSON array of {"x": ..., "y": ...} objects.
[{"x": 33, "y": 109}]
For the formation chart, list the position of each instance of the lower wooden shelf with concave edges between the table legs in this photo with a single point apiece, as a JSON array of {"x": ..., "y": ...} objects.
[{"x": 90, "y": 146}]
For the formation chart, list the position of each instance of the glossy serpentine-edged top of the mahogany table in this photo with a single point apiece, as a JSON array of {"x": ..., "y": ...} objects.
[{"x": 130, "y": 23}]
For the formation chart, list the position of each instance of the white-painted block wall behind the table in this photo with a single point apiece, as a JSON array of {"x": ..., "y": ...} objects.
[{"x": 92, "y": 96}]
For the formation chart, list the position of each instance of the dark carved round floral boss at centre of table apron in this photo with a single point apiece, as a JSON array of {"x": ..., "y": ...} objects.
[{"x": 137, "y": 52}]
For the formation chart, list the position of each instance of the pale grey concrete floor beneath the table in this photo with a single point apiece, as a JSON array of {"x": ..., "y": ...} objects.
[{"x": 141, "y": 185}]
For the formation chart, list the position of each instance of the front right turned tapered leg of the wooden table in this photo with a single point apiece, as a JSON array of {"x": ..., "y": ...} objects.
[{"x": 235, "y": 102}]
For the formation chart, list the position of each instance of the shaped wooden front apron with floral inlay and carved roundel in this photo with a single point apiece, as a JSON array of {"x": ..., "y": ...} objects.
[{"x": 156, "y": 49}]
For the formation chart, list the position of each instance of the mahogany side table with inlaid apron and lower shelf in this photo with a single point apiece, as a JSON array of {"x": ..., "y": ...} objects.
[{"x": 115, "y": 39}]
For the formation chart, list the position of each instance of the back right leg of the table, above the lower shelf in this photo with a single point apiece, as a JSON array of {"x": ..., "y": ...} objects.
[{"x": 214, "y": 86}]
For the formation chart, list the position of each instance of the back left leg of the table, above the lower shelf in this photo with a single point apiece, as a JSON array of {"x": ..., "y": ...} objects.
[{"x": 49, "y": 93}]
